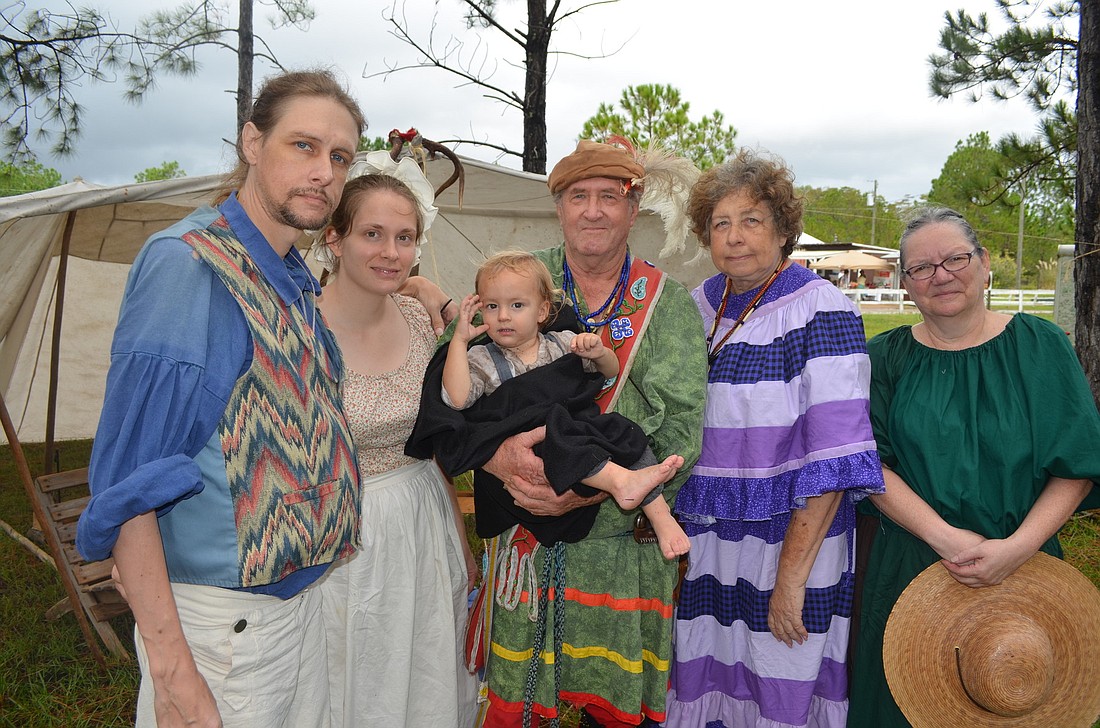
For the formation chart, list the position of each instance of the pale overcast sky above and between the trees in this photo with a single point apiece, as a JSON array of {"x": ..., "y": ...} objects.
[{"x": 839, "y": 90}]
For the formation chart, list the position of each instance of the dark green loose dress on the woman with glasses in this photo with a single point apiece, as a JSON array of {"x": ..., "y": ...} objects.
[{"x": 976, "y": 434}]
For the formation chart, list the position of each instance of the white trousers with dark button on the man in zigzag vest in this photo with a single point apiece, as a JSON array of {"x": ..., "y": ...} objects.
[{"x": 263, "y": 658}]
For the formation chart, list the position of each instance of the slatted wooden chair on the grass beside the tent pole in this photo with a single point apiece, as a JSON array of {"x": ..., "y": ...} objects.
[{"x": 59, "y": 500}]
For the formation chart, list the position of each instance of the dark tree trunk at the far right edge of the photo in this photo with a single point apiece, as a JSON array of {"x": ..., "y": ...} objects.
[{"x": 1087, "y": 238}]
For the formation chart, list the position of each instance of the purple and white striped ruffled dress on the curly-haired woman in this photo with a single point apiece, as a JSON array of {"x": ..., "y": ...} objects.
[{"x": 787, "y": 420}]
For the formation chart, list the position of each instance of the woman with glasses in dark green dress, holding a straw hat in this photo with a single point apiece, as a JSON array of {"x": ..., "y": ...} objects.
[{"x": 988, "y": 436}]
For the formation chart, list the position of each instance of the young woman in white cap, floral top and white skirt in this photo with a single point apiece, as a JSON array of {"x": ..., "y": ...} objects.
[{"x": 397, "y": 611}]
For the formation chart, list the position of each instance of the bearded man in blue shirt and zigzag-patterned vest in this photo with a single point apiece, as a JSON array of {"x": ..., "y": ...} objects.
[{"x": 224, "y": 478}]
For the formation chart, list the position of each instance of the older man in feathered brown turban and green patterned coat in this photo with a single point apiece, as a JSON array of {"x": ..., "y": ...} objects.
[{"x": 611, "y": 616}]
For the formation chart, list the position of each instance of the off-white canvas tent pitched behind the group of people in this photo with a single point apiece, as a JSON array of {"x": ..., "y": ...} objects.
[{"x": 501, "y": 209}]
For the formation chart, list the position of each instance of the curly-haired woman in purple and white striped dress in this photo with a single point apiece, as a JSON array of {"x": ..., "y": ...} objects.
[{"x": 762, "y": 627}]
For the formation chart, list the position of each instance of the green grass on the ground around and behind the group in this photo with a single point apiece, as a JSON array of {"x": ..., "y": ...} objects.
[{"x": 50, "y": 679}]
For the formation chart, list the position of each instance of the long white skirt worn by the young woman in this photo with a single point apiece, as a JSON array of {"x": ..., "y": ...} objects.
[{"x": 395, "y": 612}]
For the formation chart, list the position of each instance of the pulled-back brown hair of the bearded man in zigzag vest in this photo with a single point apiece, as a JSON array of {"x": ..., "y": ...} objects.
[{"x": 271, "y": 105}]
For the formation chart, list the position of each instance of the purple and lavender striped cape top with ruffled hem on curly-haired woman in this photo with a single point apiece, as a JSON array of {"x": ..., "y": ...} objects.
[{"x": 787, "y": 409}]
